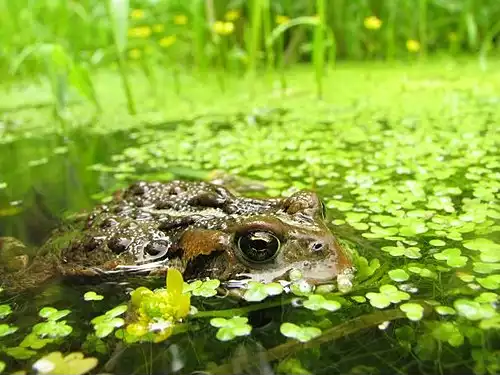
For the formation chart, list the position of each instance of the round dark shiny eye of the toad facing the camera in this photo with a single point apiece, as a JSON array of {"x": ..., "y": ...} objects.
[{"x": 259, "y": 246}]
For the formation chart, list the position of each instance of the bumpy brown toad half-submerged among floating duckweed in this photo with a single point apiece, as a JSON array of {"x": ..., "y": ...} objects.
[{"x": 200, "y": 228}]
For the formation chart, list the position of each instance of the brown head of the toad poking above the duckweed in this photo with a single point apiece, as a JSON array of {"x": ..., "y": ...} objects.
[{"x": 267, "y": 246}]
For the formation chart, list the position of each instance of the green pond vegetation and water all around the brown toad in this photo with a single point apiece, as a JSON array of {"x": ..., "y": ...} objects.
[{"x": 404, "y": 150}]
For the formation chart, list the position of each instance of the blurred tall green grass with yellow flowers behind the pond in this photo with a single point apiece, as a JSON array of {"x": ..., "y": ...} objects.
[{"x": 68, "y": 40}]
